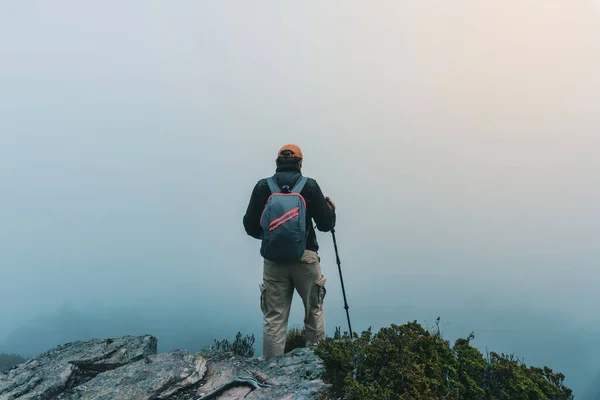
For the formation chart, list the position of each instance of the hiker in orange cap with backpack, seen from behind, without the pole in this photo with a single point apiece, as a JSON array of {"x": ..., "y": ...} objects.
[{"x": 280, "y": 214}]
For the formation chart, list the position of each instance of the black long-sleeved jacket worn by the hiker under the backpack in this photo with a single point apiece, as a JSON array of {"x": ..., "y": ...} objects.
[{"x": 316, "y": 205}]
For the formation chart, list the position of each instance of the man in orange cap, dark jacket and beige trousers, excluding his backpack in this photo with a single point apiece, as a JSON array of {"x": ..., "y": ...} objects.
[{"x": 304, "y": 275}]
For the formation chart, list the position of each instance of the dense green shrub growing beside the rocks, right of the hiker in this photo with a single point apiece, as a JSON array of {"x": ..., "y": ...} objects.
[{"x": 409, "y": 362}]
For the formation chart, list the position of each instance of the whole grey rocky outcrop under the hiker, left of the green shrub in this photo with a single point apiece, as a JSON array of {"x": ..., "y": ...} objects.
[{"x": 130, "y": 368}]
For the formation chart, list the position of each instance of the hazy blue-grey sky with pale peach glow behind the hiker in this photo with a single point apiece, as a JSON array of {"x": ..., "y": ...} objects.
[{"x": 458, "y": 139}]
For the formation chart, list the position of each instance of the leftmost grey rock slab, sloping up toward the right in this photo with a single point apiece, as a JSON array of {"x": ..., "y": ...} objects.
[{"x": 70, "y": 365}]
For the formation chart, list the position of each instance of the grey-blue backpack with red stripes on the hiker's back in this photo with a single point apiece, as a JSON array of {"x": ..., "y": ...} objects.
[{"x": 283, "y": 223}]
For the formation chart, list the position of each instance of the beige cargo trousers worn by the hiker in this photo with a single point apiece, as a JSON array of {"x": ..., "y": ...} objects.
[{"x": 277, "y": 289}]
